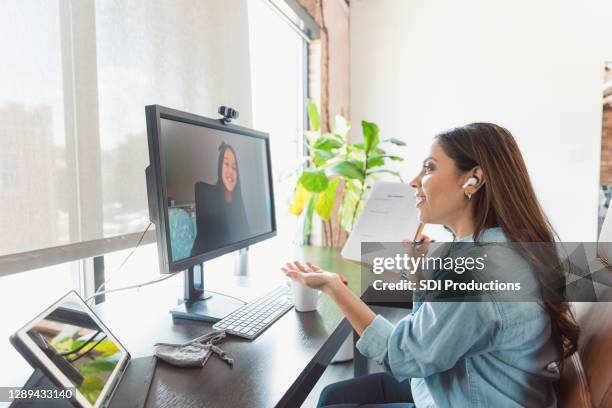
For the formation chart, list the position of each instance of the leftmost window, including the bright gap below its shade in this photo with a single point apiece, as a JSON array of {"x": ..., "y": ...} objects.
[{"x": 33, "y": 167}]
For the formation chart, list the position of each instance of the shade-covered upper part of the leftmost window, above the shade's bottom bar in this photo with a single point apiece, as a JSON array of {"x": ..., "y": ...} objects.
[{"x": 33, "y": 153}]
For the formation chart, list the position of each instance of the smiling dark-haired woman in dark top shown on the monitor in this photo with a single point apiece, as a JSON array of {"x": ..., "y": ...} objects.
[{"x": 220, "y": 214}]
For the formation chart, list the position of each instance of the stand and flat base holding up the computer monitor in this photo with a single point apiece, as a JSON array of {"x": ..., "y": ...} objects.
[{"x": 199, "y": 304}]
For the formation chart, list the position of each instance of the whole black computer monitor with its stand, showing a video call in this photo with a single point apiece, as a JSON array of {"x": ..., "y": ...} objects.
[{"x": 210, "y": 193}]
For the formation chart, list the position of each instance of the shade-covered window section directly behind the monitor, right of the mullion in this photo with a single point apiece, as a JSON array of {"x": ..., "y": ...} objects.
[{"x": 190, "y": 56}]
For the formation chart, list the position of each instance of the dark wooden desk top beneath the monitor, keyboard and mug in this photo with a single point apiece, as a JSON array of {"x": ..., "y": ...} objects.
[{"x": 278, "y": 368}]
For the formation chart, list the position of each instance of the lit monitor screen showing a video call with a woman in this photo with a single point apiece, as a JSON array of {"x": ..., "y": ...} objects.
[{"x": 217, "y": 187}]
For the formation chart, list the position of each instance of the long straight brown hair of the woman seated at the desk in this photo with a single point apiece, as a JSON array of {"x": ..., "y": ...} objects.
[{"x": 507, "y": 200}]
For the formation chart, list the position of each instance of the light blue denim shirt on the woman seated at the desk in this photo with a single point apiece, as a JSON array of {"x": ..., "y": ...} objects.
[{"x": 471, "y": 354}]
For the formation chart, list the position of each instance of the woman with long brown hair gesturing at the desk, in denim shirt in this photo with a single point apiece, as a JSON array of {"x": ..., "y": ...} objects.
[{"x": 479, "y": 354}]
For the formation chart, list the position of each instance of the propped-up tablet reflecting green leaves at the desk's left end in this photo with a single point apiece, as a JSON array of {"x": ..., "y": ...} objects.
[{"x": 77, "y": 348}]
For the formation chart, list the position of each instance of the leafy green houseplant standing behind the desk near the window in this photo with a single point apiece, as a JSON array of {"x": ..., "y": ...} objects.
[{"x": 333, "y": 161}]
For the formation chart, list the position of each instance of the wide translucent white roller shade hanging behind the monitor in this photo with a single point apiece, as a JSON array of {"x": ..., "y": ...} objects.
[{"x": 75, "y": 78}]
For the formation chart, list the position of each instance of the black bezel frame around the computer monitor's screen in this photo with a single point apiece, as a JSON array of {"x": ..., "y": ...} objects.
[{"x": 154, "y": 114}]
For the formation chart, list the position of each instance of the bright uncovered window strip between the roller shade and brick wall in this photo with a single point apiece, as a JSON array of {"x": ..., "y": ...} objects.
[{"x": 278, "y": 83}]
